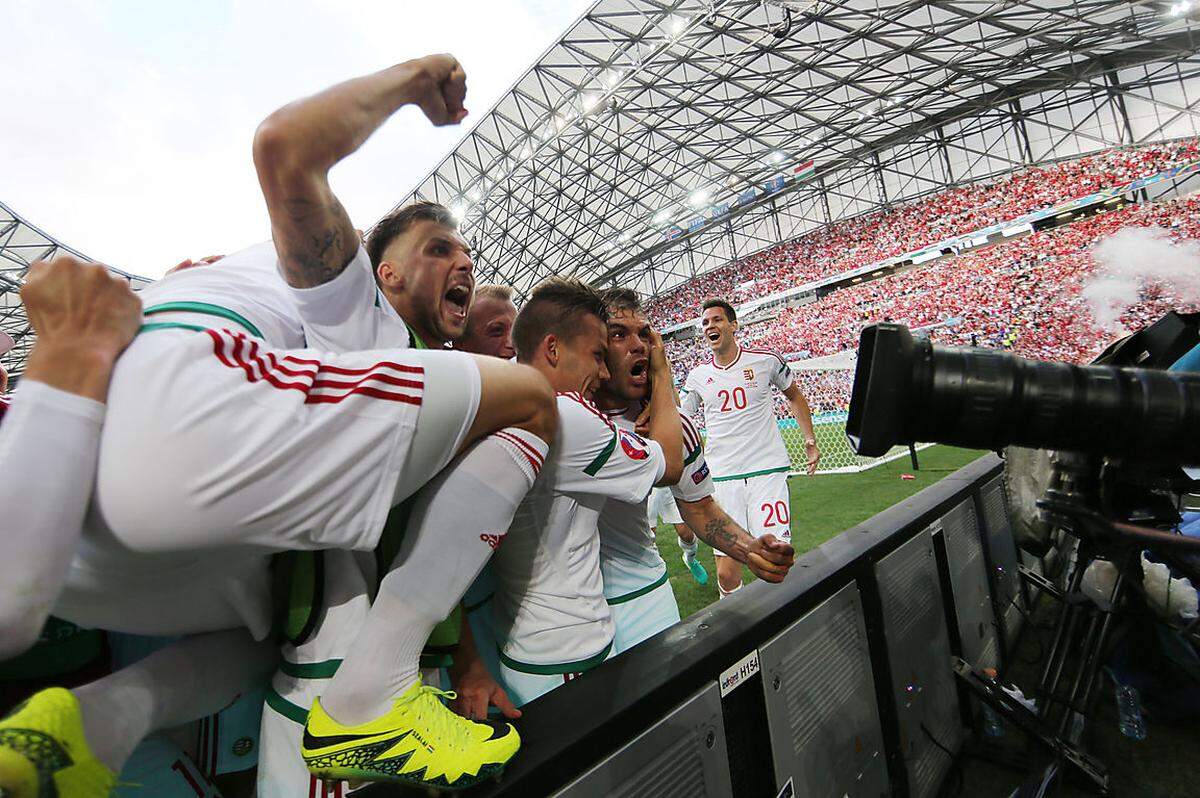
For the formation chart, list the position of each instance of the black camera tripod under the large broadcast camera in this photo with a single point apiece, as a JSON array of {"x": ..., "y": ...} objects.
[{"x": 1067, "y": 689}]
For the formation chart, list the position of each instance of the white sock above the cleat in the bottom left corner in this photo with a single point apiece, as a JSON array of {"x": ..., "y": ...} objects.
[{"x": 199, "y": 676}]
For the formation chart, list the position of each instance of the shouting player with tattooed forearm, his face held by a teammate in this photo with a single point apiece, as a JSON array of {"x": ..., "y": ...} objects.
[{"x": 635, "y": 578}]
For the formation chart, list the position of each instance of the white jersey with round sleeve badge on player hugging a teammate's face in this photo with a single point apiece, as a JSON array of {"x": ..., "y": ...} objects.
[{"x": 550, "y": 604}]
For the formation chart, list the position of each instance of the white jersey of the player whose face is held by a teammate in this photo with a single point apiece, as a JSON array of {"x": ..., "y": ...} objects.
[{"x": 629, "y": 557}]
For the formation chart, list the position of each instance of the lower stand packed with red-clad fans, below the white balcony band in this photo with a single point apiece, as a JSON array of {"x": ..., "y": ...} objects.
[{"x": 1024, "y": 296}]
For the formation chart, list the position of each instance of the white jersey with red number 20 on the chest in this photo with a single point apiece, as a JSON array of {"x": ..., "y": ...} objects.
[{"x": 740, "y": 415}]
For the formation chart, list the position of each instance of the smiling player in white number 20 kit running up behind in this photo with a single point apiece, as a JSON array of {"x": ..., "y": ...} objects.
[{"x": 746, "y": 448}]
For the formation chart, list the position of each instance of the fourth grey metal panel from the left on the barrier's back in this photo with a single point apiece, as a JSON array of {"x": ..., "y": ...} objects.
[{"x": 969, "y": 585}]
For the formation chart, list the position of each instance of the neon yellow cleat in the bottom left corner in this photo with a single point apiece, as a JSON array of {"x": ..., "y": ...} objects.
[{"x": 45, "y": 755}]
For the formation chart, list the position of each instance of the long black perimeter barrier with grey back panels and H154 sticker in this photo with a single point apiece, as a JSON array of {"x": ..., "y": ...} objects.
[{"x": 836, "y": 683}]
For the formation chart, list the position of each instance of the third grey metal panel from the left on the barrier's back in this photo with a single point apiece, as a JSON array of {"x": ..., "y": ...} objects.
[{"x": 920, "y": 656}]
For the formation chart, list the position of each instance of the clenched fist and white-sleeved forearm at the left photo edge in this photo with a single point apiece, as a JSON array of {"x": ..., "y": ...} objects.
[{"x": 50, "y": 441}]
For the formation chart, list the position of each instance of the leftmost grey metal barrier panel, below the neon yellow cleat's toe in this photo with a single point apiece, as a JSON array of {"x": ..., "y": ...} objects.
[{"x": 682, "y": 755}]
